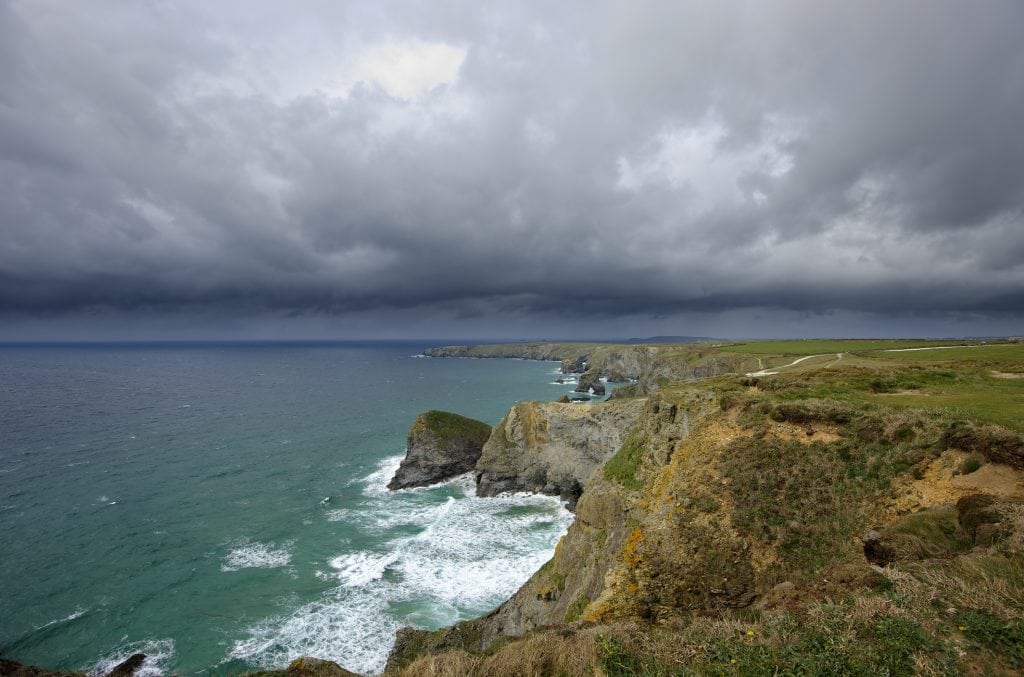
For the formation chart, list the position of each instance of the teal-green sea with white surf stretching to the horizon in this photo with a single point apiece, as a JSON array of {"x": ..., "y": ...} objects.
[{"x": 223, "y": 507}]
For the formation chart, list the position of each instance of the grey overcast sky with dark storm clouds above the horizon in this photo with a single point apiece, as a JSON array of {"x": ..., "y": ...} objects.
[{"x": 548, "y": 170}]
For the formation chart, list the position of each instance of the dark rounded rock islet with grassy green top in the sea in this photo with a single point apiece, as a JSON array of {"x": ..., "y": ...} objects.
[{"x": 440, "y": 447}]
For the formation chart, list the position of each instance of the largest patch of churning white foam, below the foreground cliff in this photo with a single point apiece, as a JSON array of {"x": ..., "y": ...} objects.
[{"x": 470, "y": 556}]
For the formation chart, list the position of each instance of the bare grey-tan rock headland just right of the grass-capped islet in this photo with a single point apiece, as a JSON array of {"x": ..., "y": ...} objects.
[{"x": 552, "y": 448}]
